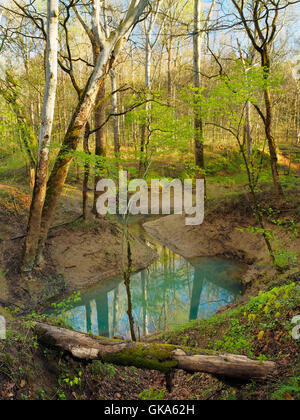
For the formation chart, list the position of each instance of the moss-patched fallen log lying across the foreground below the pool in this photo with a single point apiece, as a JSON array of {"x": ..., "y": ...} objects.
[{"x": 160, "y": 357}]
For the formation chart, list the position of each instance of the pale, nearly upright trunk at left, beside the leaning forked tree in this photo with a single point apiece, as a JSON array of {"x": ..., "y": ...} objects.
[{"x": 39, "y": 193}]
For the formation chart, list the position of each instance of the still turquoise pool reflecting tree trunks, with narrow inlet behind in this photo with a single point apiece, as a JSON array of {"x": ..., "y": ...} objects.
[{"x": 169, "y": 293}]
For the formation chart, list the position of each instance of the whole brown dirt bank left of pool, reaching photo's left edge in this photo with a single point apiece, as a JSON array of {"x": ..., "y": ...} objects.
[{"x": 77, "y": 255}]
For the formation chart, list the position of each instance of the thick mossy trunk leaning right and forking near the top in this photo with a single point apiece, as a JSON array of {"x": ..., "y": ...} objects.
[{"x": 110, "y": 48}]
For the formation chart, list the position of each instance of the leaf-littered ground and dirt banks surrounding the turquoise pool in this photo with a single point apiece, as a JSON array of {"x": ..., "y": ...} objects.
[{"x": 259, "y": 326}]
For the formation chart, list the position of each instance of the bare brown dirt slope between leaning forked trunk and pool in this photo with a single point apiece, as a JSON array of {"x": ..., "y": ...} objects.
[{"x": 87, "y": 254}]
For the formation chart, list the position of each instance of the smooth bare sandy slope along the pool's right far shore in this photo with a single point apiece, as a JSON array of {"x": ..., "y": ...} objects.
[{"x": 215, "y": 237}]
